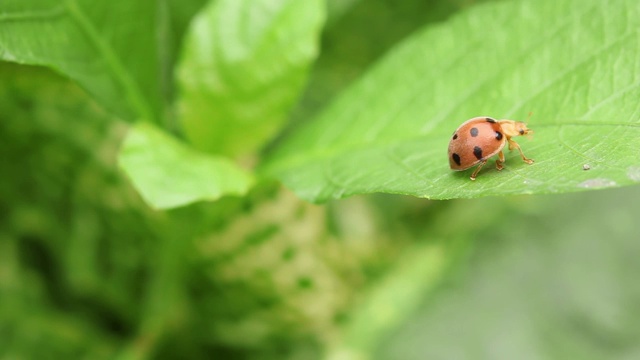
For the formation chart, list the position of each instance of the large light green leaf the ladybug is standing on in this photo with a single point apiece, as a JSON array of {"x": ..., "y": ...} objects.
[{"x": 573, "y": 63}]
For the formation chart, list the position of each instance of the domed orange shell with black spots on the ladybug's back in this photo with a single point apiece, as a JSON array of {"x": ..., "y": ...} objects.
[{"x": 476, "y": 140}]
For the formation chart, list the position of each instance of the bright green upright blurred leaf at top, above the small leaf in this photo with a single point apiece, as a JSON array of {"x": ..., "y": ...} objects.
[{"x": 243, "y": 65}]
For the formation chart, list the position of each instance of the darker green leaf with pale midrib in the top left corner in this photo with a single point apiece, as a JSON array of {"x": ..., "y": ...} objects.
[{"x": 110, "y": 48}]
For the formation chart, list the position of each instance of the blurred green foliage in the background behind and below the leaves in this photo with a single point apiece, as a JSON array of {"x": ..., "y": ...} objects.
[{"x": 87, "y": 270}]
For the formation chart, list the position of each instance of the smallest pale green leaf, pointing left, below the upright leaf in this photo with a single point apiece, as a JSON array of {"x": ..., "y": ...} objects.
[{"x": 168, "y": 173}]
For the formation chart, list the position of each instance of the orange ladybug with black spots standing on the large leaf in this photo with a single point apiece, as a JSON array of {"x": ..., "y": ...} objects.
[{"x": 479, "y": 138}]
